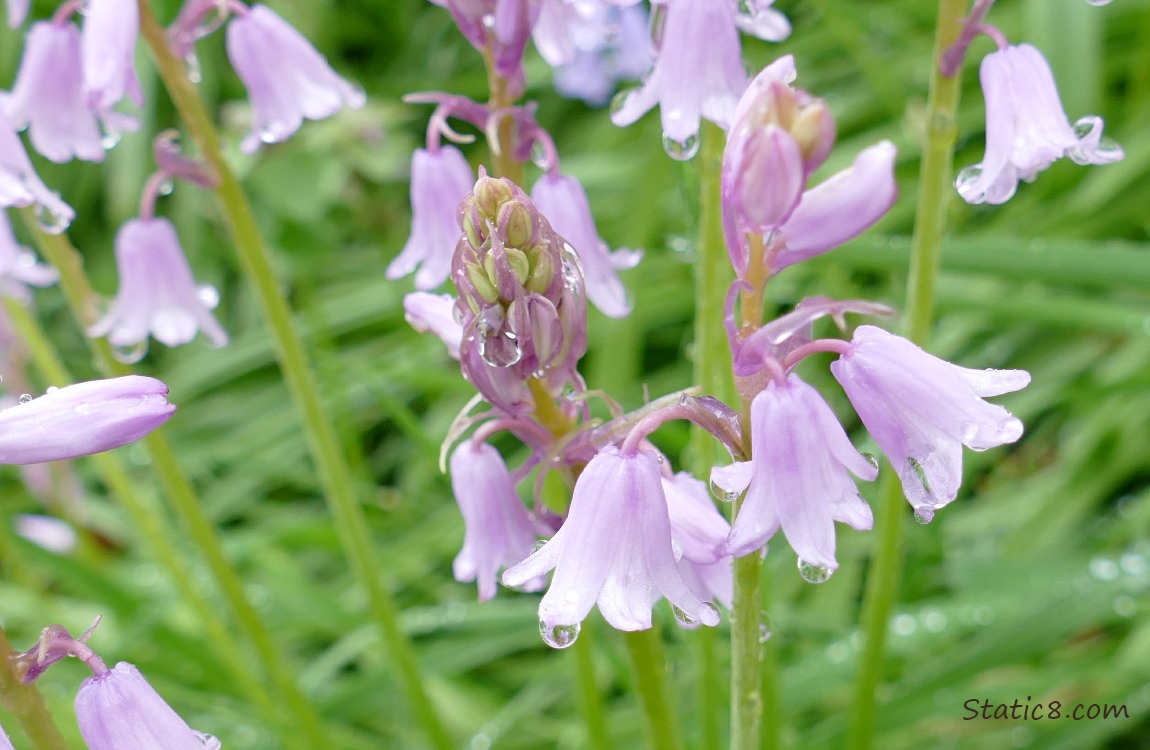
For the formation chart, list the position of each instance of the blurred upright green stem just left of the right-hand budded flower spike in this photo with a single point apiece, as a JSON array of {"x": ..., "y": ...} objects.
[{"x": 712, "y": 372}]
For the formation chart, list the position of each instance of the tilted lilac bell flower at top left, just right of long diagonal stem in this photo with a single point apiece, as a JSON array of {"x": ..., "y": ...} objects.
[{"x": 286, "y": 78}]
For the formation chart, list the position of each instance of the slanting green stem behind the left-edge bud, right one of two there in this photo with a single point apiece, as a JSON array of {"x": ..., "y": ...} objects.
[{"x": 58, "y": 251}]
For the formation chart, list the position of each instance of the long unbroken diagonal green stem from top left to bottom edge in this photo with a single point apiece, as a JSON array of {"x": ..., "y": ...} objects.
[{"x": 335, "y": 475}]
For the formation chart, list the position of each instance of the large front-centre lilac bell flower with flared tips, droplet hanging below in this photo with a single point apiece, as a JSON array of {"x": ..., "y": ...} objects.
[{"x": 614, "y": 550}]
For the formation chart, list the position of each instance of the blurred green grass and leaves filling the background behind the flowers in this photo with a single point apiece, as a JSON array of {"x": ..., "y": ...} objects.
[{"x": 1032, "y": 587}]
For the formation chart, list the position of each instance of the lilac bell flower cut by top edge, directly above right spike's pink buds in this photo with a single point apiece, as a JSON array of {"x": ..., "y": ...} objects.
[{"x": 699, "y": 72}]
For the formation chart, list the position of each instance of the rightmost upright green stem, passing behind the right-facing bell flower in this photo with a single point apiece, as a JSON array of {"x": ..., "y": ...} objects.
[{"x": 936, "y": 193}]
